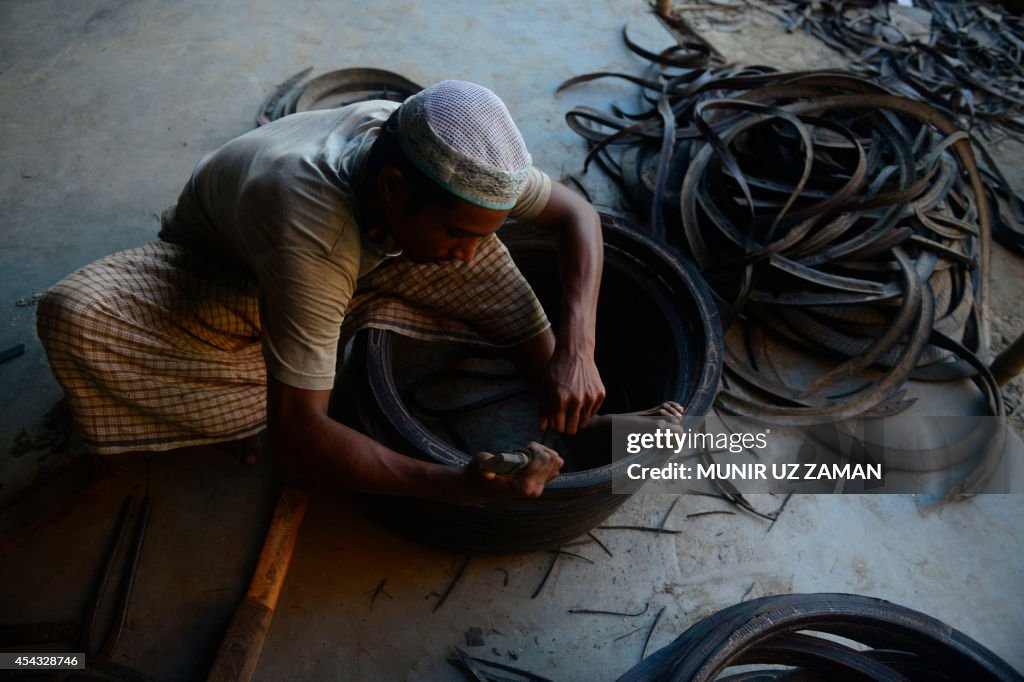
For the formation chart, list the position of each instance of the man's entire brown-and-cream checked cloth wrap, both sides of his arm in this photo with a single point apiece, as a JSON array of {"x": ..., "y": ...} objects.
[{"x": 156, "y": 350}]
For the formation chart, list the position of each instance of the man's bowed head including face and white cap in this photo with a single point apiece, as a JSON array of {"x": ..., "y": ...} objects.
[{"x": 447, "y": 168}]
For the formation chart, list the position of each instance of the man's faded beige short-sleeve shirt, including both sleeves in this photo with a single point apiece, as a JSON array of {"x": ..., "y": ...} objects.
[{"x": 279, "y": 202}]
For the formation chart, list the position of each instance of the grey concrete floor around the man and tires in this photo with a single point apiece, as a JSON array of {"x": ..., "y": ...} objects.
[{"x": 107, "y": 108}]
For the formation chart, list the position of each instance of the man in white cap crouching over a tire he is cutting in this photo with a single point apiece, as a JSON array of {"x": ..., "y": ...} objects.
[{"x": 292, "y": 237}]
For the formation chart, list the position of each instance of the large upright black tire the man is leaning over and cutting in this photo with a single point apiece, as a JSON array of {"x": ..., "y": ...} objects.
[{"x": 659, "y": 336}]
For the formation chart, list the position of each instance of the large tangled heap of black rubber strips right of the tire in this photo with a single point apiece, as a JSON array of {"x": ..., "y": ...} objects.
[{"x": 825, "y": 209}]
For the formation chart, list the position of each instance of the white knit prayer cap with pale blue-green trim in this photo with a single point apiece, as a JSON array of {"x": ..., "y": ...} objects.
[{"x": 462, "y": 137}]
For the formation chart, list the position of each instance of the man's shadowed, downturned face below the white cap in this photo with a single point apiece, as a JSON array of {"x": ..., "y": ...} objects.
[{"x": 441, "y": 234}]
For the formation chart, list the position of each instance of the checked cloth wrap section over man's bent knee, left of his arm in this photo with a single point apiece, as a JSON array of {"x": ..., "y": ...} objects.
[{"x": 155, "y": 353}]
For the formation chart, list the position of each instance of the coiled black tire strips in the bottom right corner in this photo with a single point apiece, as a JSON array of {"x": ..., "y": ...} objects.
[{"x": 888, "y": 643}]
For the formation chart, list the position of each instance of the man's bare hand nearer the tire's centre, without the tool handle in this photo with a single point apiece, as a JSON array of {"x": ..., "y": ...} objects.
[{"x": 572, "y": 392}]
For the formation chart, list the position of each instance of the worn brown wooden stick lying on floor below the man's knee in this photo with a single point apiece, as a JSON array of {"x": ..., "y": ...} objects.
[{"x": 242, "y": 646}]
